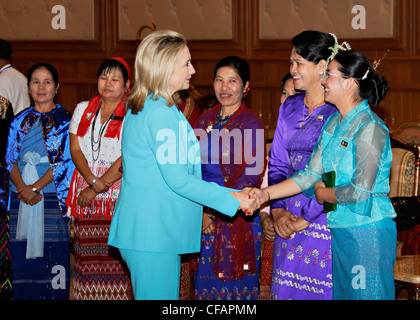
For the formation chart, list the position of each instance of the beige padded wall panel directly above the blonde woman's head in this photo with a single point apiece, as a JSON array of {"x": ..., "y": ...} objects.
[{"x": 196, "y": 19}]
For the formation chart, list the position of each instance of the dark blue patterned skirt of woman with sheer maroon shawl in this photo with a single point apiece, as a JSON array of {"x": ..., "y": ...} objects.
[{"x": 208, "y": 287}]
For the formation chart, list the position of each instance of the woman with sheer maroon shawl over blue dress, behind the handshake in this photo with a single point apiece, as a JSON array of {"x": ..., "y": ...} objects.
[{"x": 232, "y": 143}]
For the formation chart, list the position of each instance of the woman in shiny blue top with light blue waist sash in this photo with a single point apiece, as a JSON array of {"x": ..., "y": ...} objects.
[{"x": 38, "y": 170}]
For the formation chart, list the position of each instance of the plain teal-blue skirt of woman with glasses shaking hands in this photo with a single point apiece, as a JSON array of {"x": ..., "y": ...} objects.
[{"x": 363, "y": 261}]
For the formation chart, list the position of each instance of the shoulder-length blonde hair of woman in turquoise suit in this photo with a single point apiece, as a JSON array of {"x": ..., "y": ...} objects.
[{"x": 155, "y": 62}]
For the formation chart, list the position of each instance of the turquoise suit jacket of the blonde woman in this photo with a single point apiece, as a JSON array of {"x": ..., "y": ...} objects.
[{"x": 159, "y": 208}]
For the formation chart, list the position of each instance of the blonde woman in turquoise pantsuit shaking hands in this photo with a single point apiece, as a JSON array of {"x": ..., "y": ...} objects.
[{"x": 158, "y": 214}]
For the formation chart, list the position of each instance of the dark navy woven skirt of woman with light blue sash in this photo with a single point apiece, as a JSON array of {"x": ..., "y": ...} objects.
[{"x": 46, "y": 278}]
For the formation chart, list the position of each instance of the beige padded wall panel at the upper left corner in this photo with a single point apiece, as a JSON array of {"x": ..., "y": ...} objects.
[{"x": 44, "y": 20}]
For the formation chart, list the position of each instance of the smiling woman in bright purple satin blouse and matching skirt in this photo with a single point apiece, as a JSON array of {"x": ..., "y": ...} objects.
[{"x": 301, "y": 263}]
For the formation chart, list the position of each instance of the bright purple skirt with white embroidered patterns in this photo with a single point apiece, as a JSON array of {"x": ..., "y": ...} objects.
[{"x": 302, "y": 266}]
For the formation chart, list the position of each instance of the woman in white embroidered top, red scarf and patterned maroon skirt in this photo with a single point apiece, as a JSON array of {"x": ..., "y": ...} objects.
[{"x": 95, "y": 142}]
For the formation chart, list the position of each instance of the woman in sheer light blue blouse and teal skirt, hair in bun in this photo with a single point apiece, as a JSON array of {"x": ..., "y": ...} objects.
[{"x": 355, "y": 144}]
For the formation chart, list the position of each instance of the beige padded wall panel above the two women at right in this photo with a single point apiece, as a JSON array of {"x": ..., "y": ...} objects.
[{"x": 282, "y": 19}]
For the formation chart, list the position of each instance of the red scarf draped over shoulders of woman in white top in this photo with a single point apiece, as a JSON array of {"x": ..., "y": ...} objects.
[{"x": 113, "y": 129}]
